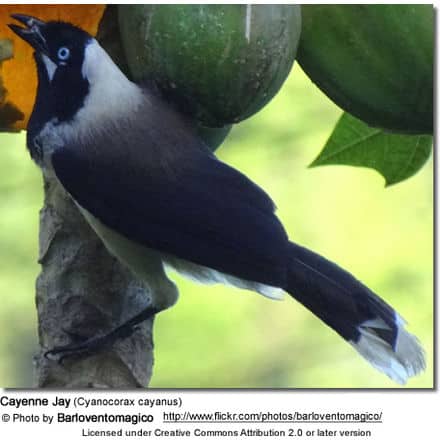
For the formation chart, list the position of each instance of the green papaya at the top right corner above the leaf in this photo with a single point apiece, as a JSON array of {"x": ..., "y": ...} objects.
[{"x": 374, "y": 61}]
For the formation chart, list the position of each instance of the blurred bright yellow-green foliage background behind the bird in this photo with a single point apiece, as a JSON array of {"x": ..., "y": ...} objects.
[{"x": 223, "y": 337}]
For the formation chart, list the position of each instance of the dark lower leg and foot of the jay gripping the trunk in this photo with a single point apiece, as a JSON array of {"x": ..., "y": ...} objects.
[{"x": 99, "y": 343}]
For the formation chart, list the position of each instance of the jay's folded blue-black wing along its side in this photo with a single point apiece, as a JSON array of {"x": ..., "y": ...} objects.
[{"x": 202, "y": 210}]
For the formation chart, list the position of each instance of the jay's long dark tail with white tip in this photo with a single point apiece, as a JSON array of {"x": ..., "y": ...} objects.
[{"x": 369, "y": 324}]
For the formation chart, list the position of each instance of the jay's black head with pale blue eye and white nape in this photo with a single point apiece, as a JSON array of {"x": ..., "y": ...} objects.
[{"x": 72, "y": 69}]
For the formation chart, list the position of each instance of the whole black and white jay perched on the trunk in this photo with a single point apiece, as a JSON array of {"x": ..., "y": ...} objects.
[{"x": 157, "y": 197}]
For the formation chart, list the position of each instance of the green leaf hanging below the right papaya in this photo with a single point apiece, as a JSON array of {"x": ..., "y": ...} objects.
[{"x": 395, "y": 156}]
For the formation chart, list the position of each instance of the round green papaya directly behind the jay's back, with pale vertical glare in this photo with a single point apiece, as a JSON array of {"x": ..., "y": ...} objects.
[{"x": 223, "y": 62}]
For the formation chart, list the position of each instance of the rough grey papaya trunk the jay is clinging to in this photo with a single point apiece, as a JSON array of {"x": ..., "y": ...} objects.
[{"x": 83, "y": 290}]
